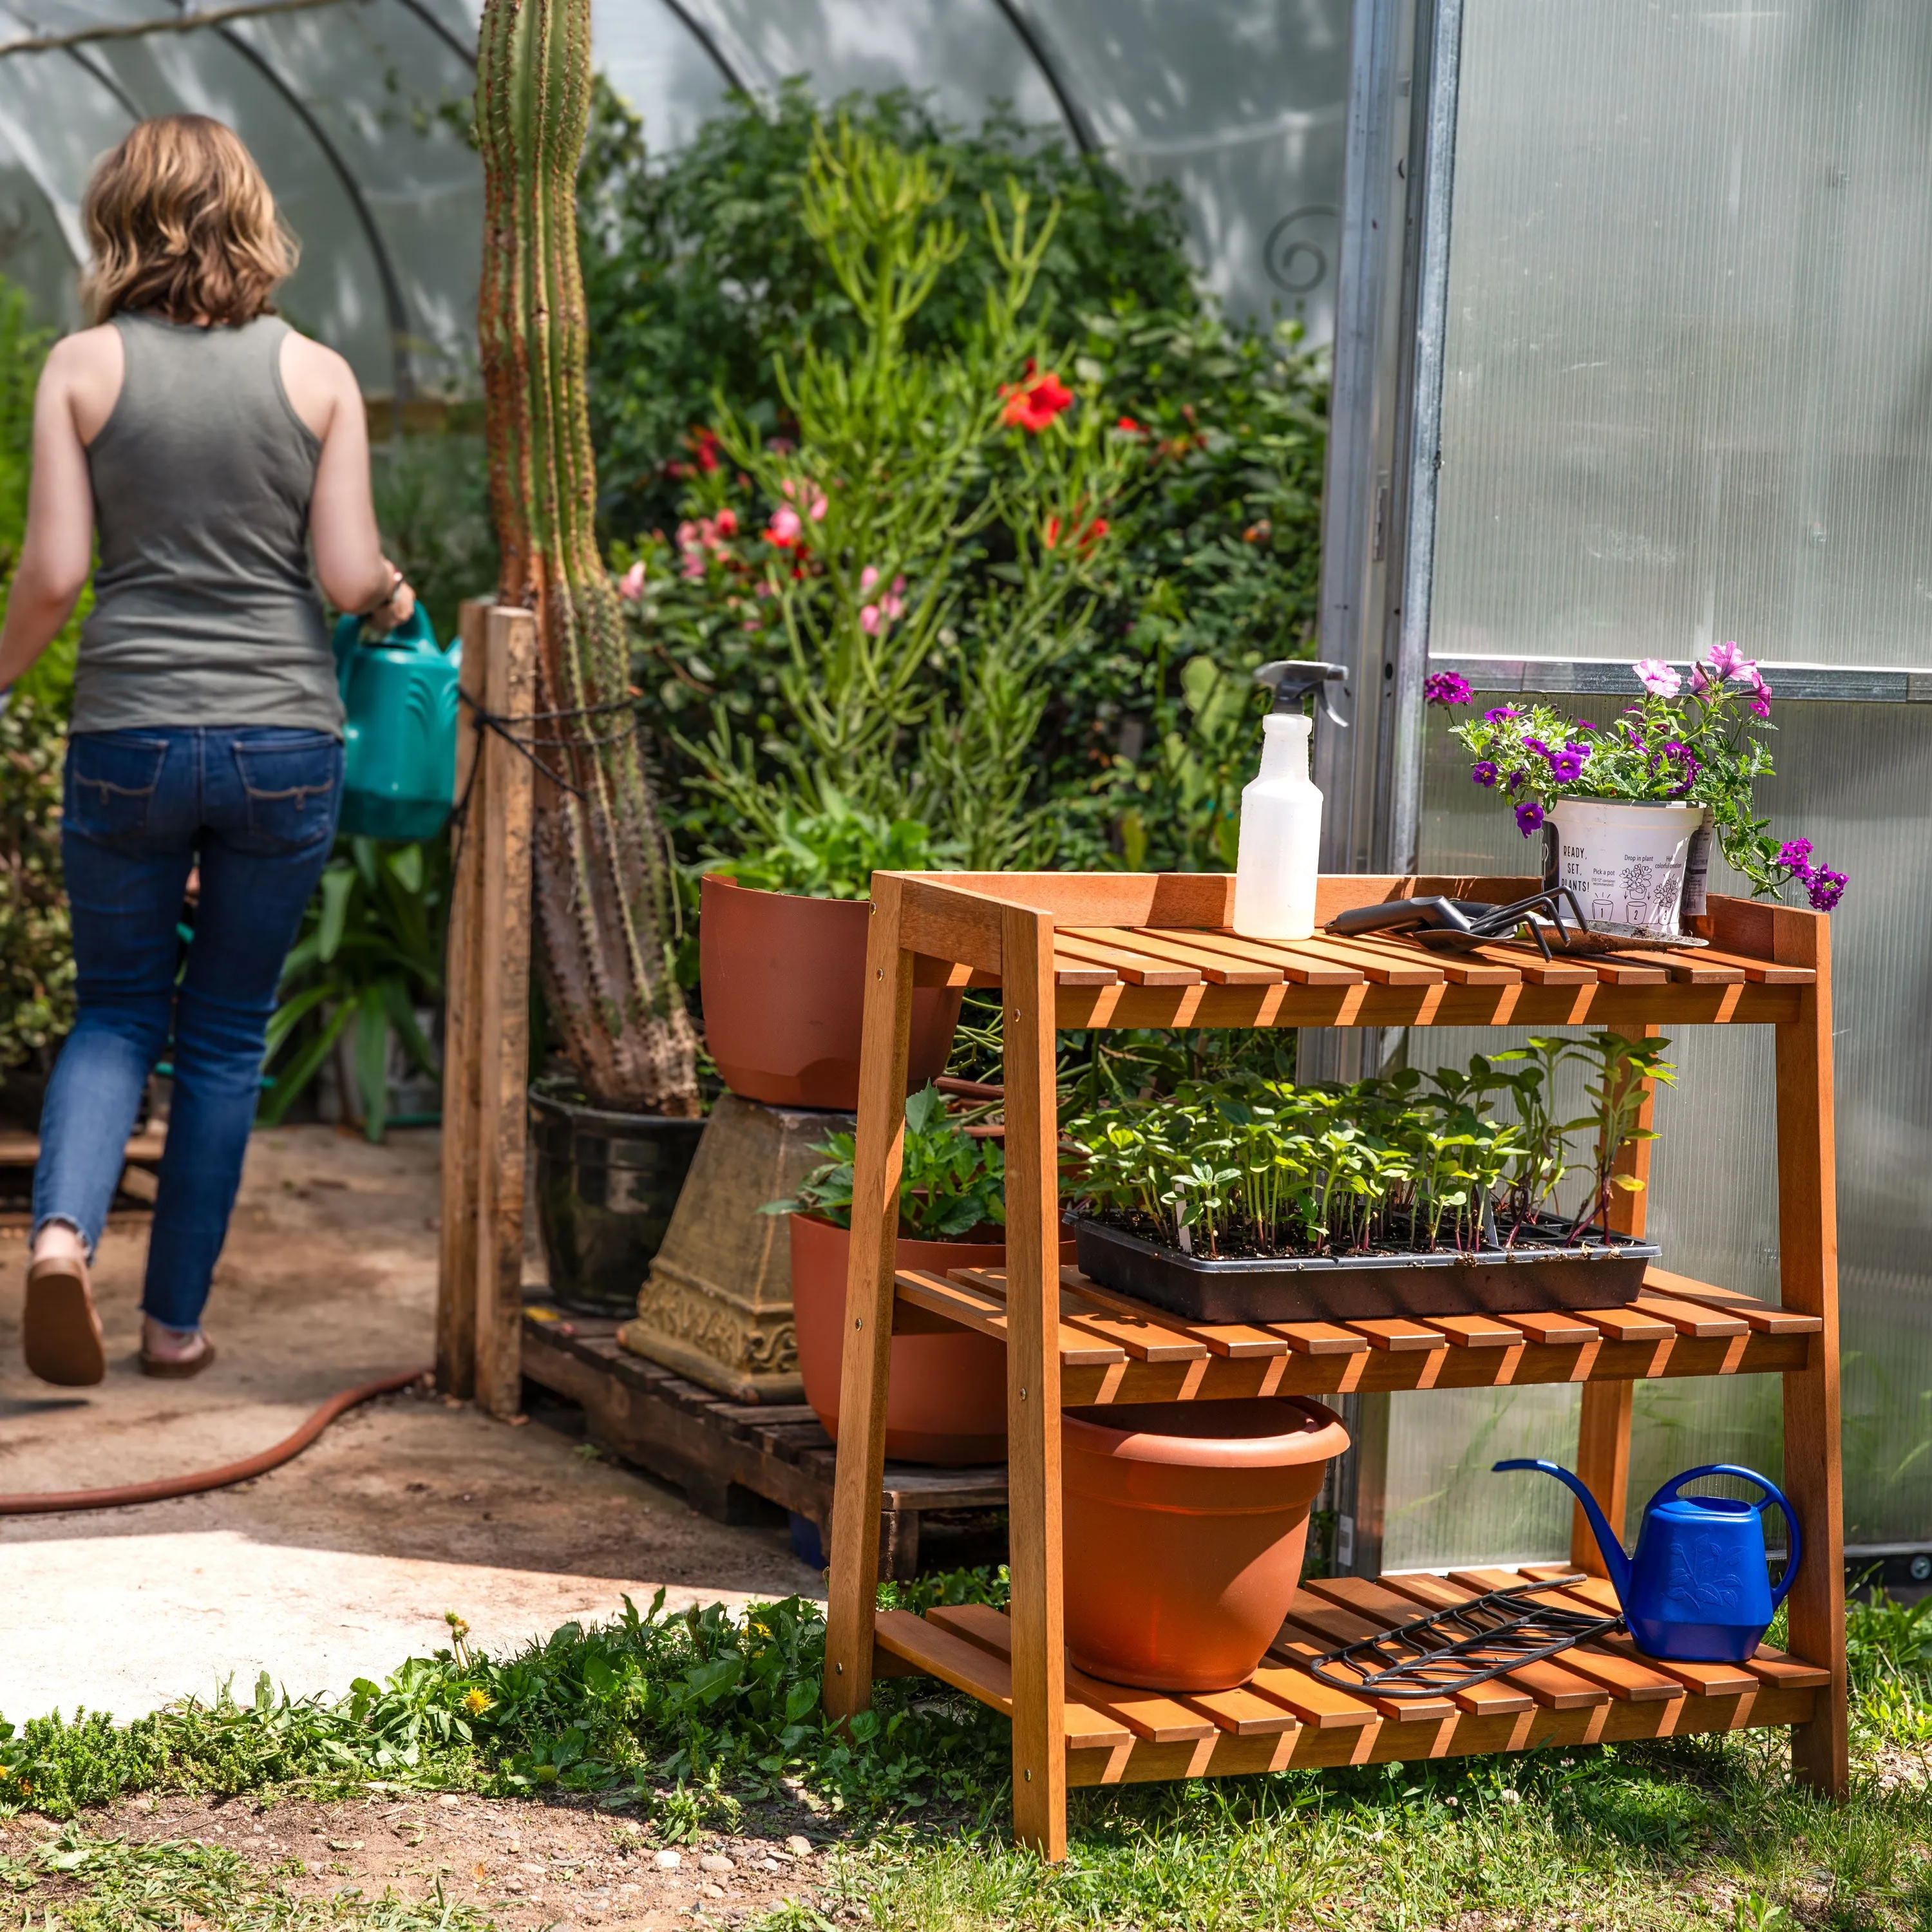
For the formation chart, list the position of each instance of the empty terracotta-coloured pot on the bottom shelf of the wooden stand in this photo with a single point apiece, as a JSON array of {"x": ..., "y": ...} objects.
[{"x": 1185, "y": 1527}]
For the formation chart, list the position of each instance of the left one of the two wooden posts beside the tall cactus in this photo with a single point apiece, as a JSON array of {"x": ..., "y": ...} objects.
[{"x": 457, "y": 1266}]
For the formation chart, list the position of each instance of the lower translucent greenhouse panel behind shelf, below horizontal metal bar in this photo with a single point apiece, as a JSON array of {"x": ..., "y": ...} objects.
[{"x": 1715, "y": 1179}]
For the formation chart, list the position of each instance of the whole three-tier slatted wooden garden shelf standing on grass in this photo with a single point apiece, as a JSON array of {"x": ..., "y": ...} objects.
[{"x": 1154, "y": 950}]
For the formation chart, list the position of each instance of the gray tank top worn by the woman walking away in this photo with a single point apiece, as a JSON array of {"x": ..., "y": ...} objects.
[{"x": 206, "y": 611}]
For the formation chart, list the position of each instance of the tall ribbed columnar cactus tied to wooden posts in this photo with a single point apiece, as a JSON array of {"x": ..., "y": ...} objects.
[{"x": 604, "y": 880}]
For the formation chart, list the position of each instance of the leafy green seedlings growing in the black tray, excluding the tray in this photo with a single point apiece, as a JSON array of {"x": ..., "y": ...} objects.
[{"x": 1400, "y": 1166}]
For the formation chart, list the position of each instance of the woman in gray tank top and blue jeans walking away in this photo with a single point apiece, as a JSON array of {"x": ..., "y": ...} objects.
[{"x": 210, "y": 447}]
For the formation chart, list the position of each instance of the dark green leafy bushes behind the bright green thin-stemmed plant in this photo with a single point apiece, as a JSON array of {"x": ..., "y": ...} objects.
[{"x": 702, "y": 275}]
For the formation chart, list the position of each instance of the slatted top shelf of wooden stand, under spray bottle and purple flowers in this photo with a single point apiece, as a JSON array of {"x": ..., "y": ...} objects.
[{"x": 1156, "y": 950}]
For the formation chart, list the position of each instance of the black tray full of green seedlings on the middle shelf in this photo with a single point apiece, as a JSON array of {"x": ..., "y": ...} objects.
[{"x": 1255, "y": 1201}]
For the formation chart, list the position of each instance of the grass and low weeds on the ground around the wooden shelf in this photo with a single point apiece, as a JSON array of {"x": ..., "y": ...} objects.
[{"x": 689, "y": 1719}]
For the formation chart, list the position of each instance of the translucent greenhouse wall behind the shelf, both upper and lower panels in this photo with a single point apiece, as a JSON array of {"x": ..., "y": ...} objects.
[{"x": 1684, "y": 401}]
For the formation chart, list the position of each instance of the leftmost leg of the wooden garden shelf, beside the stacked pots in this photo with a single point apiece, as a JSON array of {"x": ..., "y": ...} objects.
[{"x": 868, "y": 1340}]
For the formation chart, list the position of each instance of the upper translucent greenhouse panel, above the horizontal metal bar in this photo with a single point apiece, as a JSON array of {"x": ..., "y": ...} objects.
[{"x": 1688, "y": 333}]
